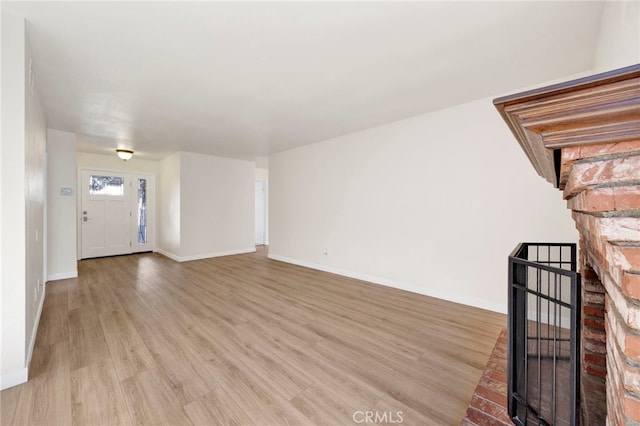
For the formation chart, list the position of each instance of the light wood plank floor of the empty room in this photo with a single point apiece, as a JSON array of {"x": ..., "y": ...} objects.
[{"x": 245, "y": 340}]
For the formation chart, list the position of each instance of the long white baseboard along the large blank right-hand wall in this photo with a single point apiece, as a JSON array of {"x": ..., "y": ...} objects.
[{"x": 477, "y": 303}]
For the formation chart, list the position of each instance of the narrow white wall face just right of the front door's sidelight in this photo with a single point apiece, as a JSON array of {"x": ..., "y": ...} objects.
[{"x": 169, "y": 205}]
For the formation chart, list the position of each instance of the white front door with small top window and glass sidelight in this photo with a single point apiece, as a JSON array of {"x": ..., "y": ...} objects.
[{"x": 116, "y": 213}]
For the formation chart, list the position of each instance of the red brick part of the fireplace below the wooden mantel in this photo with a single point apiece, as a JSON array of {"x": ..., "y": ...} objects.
[{"x": 601, "y": 184}]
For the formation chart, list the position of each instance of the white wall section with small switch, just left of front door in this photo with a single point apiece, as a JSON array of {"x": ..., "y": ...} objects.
[{"x": 61, "y": 209}]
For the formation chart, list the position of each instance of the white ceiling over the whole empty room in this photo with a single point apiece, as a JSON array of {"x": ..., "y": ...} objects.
[{"x": 244, "y": 80}]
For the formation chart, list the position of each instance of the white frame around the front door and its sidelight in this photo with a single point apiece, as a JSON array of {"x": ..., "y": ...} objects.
[{"x": 151, "y": 201}]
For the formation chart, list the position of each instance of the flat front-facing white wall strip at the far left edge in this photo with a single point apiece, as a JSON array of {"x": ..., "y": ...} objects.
[{"x": 13, "y": 202}]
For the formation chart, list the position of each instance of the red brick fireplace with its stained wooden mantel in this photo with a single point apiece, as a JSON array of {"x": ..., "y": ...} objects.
[{"x": 583, "y": 136}]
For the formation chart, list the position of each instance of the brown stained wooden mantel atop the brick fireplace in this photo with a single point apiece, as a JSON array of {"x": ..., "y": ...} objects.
[{"x": 603, "y": 108}]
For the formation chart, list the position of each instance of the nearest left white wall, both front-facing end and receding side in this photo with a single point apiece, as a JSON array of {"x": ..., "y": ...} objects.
[{"x": 23, "y": 203}]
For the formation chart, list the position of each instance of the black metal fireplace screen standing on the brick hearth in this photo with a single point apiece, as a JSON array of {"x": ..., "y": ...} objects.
[{"x": 543, "y": 351}]
